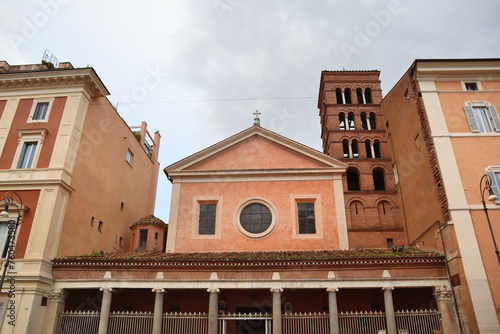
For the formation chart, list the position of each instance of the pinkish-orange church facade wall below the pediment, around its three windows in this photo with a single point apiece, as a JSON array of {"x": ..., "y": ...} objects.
[{"x": 277, "y": 193}]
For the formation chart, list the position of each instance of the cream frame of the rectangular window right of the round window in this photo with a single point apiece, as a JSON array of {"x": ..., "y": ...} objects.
[{"x": 318, "y": 217}]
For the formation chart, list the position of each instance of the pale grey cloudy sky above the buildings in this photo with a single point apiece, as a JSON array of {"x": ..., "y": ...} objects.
[{"x": 214, "y": 62}]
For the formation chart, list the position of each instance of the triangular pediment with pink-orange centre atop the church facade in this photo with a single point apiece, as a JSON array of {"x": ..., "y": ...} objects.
[{"x": 256, "y": 148}]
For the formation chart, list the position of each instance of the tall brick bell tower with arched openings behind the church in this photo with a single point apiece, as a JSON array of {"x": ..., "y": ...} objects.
[{"x": 353, "y": 131}]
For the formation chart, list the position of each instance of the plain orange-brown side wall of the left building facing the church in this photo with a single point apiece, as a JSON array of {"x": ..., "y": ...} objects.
[{"x": 102, "y": 179}]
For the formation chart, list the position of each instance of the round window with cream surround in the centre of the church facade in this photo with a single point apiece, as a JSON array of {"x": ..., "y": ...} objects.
[{"x": 255, "y": 218}]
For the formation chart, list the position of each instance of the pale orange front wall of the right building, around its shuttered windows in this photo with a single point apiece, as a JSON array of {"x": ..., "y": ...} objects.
[{"x": 473, "y": 155}]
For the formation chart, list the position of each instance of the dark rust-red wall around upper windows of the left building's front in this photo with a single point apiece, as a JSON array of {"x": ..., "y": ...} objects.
[{"x": 20, "y": 123}]
